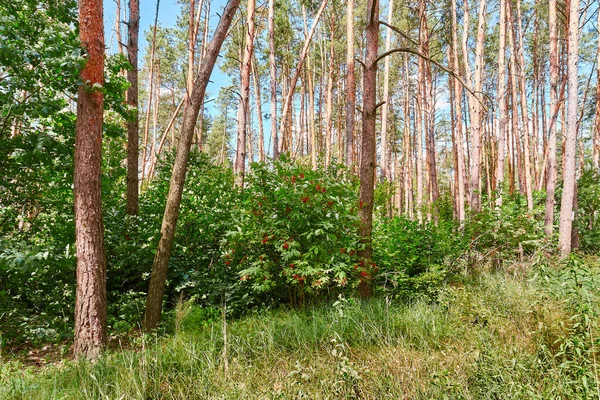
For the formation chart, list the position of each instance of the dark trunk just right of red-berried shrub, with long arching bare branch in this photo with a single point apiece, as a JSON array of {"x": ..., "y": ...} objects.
[{"x": 369, "y": 138}]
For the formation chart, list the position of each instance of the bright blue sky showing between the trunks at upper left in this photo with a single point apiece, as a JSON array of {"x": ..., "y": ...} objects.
[{"x": 167, "y": 17}]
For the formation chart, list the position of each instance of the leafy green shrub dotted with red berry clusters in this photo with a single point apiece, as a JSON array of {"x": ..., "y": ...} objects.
[{"x": 296, "y": 232}]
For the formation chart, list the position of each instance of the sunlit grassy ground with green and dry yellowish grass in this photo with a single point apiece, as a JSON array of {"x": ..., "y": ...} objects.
[{"x": 527, "y": 332}]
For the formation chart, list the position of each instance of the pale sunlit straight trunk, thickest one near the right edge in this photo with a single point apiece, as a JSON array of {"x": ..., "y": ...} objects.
[{"x": 569, "y": 178}]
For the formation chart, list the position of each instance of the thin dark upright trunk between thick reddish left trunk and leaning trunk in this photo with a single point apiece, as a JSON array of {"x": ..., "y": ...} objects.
[{"x": 132, "y": 100}]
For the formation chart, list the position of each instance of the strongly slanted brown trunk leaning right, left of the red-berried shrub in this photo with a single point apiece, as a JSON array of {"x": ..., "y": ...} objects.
[{"x": 161, "y": 260}]
